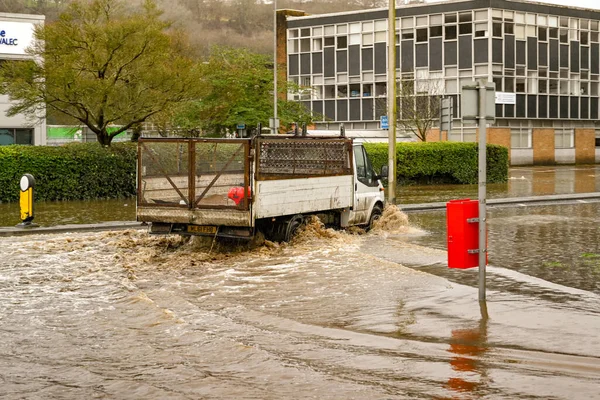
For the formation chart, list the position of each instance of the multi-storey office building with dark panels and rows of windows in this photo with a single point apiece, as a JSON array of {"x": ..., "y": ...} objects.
[{"x": 543, "y": 59}]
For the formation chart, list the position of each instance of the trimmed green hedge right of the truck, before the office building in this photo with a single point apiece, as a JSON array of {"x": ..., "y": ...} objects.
[{"x": 447, "y": 162}]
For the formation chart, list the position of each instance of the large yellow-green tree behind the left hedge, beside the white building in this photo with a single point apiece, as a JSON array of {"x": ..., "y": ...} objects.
[{"x": 103, "y": 64}]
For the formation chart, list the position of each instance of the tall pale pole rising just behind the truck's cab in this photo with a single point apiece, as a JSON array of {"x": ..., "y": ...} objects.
[{"x": 392, "y": 102}]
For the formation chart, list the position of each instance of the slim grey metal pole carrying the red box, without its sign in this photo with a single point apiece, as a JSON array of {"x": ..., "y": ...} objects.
[{"x": 482, "y": 190}]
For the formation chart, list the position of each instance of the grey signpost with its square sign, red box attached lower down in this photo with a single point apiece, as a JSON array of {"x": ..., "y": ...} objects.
[{"x": 478, "y": 101}]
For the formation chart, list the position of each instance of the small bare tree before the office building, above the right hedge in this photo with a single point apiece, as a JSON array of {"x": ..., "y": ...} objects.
[{"x": 419, "y": 104}]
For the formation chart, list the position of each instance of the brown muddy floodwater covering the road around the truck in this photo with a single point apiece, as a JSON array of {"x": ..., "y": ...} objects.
[{"x": 333, "y": 315}]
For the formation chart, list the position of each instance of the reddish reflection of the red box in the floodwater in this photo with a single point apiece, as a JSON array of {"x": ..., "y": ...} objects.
[{"x": 468, "y": 345}]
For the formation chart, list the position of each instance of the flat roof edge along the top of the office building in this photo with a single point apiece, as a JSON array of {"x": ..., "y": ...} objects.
[{"x": 446, "y": 6}]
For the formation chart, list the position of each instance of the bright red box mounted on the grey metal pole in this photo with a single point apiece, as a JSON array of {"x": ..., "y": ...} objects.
[{"x": 462, "y": 232}]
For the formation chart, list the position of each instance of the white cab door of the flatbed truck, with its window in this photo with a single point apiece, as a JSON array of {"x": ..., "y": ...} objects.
[{"x": 365, "y": 185}]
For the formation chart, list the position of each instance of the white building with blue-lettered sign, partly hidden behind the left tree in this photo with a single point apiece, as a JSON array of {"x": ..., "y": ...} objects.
[{"x": 16, "y": 34}]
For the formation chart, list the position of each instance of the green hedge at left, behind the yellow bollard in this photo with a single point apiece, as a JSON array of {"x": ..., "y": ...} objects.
[{"x": 75, "y": 171}]
